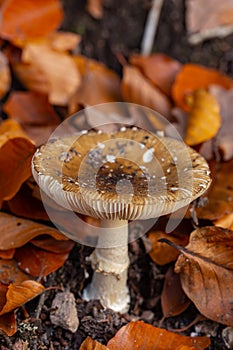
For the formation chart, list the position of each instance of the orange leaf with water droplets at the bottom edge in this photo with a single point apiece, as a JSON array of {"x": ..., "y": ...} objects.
[{"x": 139, "y": 335}]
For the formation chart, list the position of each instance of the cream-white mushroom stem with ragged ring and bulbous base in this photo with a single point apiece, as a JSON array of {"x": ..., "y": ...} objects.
[{"x": 109, "y": 282}]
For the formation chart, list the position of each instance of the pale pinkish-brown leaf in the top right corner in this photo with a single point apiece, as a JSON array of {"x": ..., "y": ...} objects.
[{"x": 217, "y": 22}]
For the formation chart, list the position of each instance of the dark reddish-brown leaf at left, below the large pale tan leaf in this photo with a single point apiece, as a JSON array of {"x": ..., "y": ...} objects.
[{"x": 30, "y": 108}]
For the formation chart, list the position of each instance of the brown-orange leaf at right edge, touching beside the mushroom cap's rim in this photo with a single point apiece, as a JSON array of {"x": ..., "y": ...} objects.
[{"x": 220, "y": 194}]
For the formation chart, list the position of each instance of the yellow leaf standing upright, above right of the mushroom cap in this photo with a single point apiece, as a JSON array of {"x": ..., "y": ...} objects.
[{"x": 204, "y": 119}]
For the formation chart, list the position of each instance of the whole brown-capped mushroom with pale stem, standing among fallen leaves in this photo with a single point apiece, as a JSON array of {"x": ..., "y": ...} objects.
[{"x": 116, "y": 177}]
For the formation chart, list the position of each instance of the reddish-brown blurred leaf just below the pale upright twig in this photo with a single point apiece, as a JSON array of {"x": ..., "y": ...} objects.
[{"x": 158, "y": 68}]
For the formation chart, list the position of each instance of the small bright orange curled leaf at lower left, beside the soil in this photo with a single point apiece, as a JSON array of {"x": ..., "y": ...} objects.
[{"x": 19, "y": 294}]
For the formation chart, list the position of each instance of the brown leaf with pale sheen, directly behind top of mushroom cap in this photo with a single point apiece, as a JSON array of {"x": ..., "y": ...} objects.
[{"x": 137, "y": 89}]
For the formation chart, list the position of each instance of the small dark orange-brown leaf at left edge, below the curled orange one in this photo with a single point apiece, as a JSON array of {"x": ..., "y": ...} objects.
[{"x": 10, "y": 272}]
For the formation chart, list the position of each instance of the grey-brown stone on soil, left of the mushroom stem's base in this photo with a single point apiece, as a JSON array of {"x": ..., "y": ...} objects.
[{"x": 64, "y": 312}]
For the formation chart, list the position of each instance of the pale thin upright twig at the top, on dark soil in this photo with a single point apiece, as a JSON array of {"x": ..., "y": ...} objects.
[{"x": 151, "y": 27}]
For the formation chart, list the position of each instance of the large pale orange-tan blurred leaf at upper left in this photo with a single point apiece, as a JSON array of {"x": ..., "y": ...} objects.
[{"x": 61, "y": 78}]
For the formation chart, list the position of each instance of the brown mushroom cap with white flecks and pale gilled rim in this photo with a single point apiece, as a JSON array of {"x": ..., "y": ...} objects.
[{"x": 129, "y": 174}]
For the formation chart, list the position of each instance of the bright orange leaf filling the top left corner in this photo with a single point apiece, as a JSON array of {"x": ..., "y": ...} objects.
[{"x": 26, "y": 19}]
